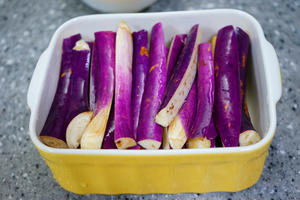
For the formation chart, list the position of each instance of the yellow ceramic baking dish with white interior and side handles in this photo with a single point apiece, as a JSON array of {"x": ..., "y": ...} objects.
[{"x": 161, "y": 171}]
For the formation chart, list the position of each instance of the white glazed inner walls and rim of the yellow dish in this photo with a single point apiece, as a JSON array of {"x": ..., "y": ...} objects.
[{"x": 260, "y": 100}]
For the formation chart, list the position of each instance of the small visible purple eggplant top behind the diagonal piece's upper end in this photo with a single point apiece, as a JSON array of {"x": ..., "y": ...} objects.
[{"x": 174, "y": 51}]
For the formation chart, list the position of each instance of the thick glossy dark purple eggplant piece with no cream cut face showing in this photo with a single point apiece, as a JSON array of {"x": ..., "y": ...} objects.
[{"x": 227, "y": 107}]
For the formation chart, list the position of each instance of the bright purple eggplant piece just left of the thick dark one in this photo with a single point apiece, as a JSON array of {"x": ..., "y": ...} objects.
[{"x": 203, "y": 130}]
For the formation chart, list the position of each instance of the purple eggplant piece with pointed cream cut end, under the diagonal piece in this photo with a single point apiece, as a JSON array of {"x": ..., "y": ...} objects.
[{"x": 178, "y": 130}]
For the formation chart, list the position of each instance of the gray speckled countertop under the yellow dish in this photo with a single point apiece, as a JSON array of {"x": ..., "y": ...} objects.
[{"x": 25, "y": 29}]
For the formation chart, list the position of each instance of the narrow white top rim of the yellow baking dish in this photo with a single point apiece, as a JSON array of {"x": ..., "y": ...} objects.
[{"x": 272, "y": 105}]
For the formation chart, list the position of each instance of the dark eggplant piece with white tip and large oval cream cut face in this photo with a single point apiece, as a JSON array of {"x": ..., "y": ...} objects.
[{"x": 78, "y": 94}]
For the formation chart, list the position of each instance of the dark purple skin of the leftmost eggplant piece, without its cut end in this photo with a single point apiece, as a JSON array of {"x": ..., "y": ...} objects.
[{"x": 56, "y": 123}]
